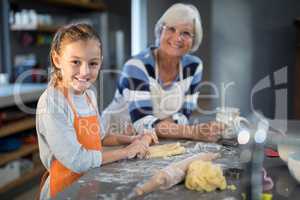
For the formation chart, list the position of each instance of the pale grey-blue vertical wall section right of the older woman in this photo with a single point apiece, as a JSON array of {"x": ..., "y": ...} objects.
[{"x": 231, "y": 55}]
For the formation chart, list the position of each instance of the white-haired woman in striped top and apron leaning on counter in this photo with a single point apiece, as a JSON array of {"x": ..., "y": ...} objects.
[{"x": 157, "y": 91}]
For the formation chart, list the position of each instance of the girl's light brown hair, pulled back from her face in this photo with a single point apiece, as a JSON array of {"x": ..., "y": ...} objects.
[{"x": 67, "y": 34}]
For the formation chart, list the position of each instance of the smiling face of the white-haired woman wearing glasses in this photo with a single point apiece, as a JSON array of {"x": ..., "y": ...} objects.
[{"x": 177, "y": 40}]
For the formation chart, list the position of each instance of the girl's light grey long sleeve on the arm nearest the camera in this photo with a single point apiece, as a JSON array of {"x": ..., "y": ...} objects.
[{"x": 57, "y": 136}]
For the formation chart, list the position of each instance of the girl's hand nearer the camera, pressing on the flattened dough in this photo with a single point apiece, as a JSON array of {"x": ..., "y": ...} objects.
[{"x": 136, "y": 148}]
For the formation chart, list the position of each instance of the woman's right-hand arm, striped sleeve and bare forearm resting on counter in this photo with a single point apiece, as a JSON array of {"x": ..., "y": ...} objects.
[{"x": 177, "y": 126}]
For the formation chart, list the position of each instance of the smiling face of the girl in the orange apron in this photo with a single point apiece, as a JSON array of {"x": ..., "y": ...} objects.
[{"x": 79, "y": 62}]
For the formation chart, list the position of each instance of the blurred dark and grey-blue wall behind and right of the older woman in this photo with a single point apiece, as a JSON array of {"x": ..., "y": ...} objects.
[{"x": 244, "y": 42}]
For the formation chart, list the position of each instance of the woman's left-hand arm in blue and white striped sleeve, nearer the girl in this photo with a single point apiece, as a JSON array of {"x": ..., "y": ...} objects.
[{"x": 134, "y": 86}]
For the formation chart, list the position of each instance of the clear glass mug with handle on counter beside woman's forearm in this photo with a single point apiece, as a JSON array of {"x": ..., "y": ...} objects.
[{"x": 230, "y": 116}]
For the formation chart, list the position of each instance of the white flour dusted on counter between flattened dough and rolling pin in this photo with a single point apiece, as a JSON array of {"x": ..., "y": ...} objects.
[{"x": 129, "y": 171}]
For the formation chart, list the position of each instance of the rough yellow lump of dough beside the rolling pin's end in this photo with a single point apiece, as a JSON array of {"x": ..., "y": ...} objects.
[{"x": 204, "y": 176}]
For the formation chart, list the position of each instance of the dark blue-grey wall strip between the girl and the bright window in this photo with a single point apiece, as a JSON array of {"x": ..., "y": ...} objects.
[{"x": 117, "y": 18}]
